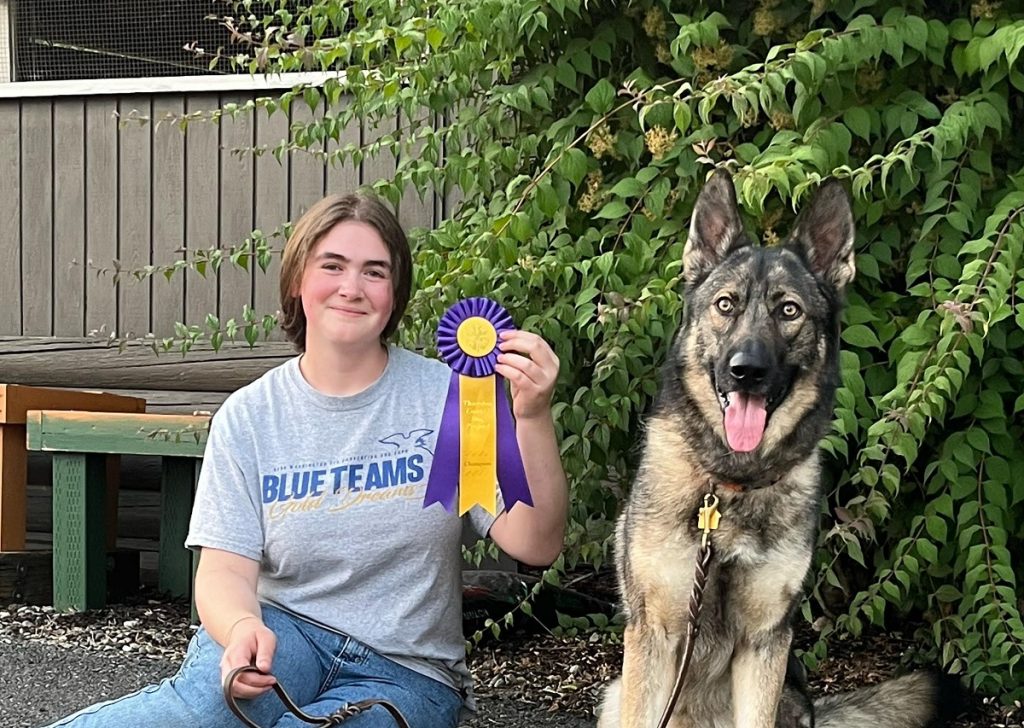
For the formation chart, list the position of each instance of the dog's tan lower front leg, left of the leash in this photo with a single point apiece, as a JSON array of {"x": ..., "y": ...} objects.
[{"x": 649, "y": 669}]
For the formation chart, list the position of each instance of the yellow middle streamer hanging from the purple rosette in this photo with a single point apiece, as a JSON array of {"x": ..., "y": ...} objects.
[{"x": 479, "y": 466}]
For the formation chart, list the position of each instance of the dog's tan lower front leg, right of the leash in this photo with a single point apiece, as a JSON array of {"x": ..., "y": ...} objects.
[{"x": 758, "y": 674}]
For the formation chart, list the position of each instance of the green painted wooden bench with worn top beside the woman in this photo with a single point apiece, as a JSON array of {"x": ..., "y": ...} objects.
[{"x": 80, "y": 443}]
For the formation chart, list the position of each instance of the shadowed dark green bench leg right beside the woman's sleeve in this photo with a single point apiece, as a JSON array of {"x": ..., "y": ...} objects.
[{"x": 177, "y": 495}]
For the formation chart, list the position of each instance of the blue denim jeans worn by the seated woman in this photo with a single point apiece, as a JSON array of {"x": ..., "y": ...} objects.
[{"x": 321, "y": 670}]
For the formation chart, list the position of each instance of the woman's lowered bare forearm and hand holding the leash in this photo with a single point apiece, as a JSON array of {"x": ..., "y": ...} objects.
[{"x": 226, "y": 601}]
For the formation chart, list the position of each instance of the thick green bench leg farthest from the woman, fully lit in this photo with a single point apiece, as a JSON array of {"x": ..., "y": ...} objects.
[{"x": 79, "y": 531}]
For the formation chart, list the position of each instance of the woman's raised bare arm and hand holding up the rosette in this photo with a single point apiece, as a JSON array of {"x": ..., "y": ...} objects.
[{"x": 536, "y": 535}]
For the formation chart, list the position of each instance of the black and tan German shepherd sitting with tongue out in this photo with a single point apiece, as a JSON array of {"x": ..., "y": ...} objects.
[{"x": 745, "y": 399}]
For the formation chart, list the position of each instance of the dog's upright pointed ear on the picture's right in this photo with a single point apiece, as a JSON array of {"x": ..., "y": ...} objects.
[{"x": 824, "y": 235}]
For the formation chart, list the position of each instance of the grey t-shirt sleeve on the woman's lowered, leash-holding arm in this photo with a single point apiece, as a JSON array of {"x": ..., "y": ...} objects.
[{"x": 228, "y": 513}]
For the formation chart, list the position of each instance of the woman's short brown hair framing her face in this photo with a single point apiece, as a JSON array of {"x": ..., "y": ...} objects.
[{"x": 309, "y": 232}]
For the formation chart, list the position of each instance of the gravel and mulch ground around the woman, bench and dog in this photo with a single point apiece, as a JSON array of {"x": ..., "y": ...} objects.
[{"x": 52, "y": 665}]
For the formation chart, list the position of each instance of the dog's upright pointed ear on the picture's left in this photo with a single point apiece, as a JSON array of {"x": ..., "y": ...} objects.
[{"x": 715, "y": 228}]
